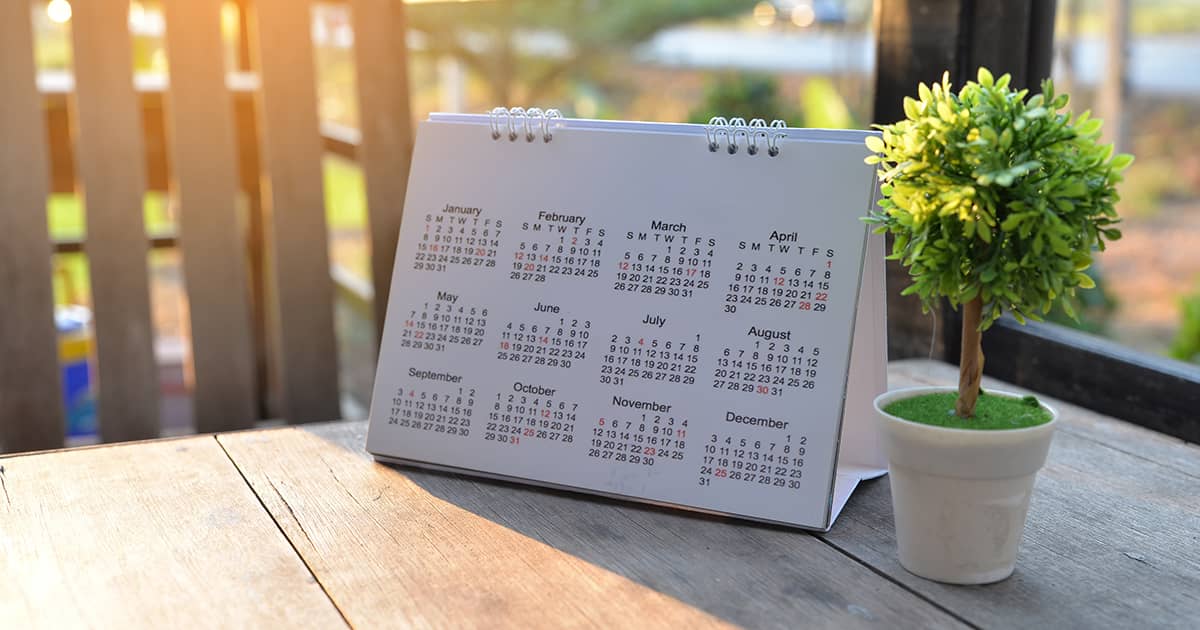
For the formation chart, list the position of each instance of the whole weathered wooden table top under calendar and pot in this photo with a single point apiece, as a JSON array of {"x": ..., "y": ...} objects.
[{"x": 299, "y": 527}]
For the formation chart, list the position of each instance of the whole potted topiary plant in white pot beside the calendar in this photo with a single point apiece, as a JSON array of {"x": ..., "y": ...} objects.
[{"x": 997, "y": 201}]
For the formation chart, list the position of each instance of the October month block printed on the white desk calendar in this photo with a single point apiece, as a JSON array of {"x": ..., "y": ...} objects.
[{"x": 531, "y": 415}]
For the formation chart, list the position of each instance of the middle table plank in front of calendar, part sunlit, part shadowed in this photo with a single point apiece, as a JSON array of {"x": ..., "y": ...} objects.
[{"x": 389, "y": 543}]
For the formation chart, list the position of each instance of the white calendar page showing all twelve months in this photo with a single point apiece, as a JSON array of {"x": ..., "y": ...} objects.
[{"x": 625, "y": 313}]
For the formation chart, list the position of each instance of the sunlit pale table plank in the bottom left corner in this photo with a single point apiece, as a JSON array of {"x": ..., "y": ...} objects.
[{"x": 160, "y": 535}]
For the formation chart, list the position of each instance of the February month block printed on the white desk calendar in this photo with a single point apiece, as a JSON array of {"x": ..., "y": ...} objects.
[{"x": 557, "y": 245}]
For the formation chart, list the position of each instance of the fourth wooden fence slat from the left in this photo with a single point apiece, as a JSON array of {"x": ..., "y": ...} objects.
[{"x": 301, "y": 292}]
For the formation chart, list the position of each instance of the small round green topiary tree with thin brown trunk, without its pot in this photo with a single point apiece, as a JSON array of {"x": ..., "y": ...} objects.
[{"x": 997, "y": 201}]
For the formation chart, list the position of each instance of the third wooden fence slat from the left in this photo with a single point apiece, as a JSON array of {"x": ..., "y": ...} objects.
[{"x": 203, "y": 158}]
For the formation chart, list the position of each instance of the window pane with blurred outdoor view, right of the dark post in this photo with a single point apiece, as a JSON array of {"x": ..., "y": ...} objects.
[{"x": 1130, "y": 74}]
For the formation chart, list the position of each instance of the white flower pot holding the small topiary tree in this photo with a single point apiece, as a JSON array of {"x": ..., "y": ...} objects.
[{"x": 961, "y": 496}]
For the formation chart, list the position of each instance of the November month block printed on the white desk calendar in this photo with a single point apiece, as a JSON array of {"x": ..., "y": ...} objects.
[{"x": 640, "y": 439}]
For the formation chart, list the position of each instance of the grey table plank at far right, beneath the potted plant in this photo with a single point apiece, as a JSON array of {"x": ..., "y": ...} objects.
[{"x": 1111, "y": 542}]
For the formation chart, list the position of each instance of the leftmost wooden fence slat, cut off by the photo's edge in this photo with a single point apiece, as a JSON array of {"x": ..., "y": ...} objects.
[{"x": 31, "y": 397}]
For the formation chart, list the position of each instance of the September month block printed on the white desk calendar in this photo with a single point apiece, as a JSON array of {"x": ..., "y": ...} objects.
[{"x": 437, "y": 404}]
